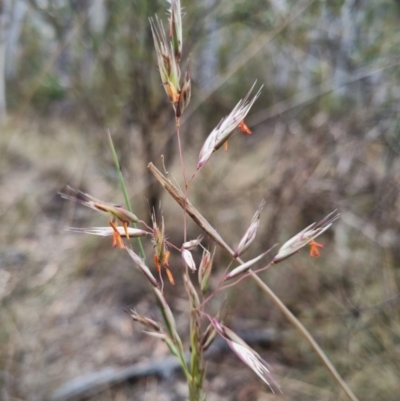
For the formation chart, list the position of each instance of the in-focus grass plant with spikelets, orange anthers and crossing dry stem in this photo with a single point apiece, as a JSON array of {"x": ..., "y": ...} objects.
[{"x": 204, "y": 326}]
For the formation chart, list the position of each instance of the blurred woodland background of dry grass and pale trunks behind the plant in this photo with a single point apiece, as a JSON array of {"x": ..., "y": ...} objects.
[{"x": 325, "y": 136}]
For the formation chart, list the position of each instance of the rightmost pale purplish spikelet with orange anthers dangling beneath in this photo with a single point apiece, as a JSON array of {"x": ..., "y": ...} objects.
[{"x": 305, "y": 237}]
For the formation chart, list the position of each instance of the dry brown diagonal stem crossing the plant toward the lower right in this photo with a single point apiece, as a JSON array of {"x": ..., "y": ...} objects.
[{"x": 206, "y": 226}]
